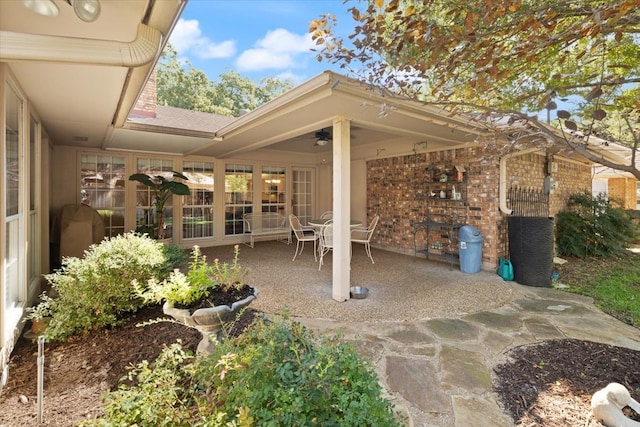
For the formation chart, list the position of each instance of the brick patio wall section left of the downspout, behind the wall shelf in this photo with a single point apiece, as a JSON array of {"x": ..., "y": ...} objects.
[{"x": 398, "y": 187}]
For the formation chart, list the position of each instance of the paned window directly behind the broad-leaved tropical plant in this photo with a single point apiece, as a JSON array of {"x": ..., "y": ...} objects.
[{"x": 145, "y": 214}]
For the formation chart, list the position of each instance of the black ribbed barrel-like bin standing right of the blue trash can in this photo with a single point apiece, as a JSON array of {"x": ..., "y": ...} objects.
[{"x": 531, "y": 249}]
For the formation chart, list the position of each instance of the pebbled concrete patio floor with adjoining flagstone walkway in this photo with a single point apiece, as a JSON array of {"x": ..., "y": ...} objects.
[{"x": 433, "y": 333}]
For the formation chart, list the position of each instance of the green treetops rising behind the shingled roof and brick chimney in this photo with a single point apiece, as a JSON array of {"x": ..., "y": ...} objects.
[{"x": 182, "y": 86}]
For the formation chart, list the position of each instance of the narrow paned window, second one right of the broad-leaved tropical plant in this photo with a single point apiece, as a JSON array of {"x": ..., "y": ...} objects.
[{"x": 238, "y": 187}]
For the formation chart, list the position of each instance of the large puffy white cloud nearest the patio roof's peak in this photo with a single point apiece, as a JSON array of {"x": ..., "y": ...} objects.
[{"x": 279, "y": 49}]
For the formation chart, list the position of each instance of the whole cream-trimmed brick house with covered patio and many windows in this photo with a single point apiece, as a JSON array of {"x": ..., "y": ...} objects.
[{"x": 75, "y": 124}]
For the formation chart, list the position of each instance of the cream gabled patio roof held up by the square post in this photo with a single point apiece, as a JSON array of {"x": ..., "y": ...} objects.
[{"x": 290, "y": 122}]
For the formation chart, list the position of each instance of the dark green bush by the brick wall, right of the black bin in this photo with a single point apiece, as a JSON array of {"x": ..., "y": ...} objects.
[{"x": 592, "y": 227}]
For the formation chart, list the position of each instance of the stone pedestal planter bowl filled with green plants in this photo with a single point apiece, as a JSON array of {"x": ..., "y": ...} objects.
[{"x": 205, "y": 298}]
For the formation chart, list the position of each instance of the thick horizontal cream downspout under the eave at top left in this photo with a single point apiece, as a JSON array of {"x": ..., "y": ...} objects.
[{"x": 36, "y": 47}]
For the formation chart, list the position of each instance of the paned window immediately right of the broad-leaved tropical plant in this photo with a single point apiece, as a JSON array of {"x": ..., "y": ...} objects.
[{"x": 197, "y": 213}]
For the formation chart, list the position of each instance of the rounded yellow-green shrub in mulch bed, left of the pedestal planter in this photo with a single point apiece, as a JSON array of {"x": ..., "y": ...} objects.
[{"x": 96, "y": 290}]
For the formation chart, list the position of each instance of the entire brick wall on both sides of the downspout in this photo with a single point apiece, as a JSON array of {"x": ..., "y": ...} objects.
[{"x": 398, "y": 190}]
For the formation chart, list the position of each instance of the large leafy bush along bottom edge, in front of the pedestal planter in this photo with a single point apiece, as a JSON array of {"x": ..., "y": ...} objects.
[{"x": 274, "y": 374}]
